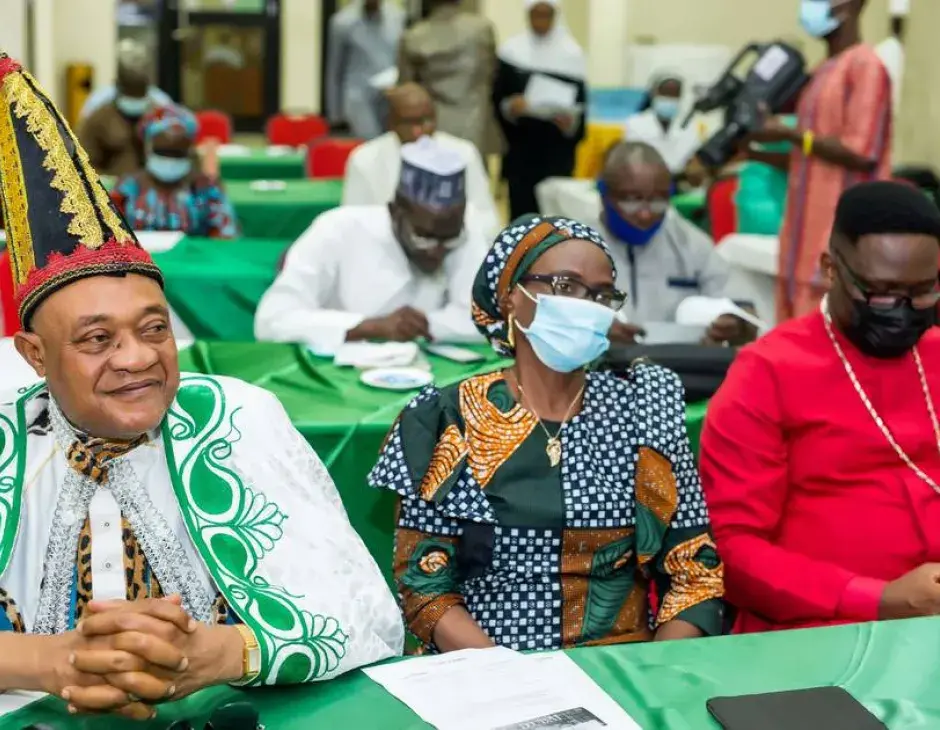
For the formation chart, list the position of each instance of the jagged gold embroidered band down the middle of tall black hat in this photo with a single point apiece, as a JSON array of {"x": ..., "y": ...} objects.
[{"x": 43, "y": 127}]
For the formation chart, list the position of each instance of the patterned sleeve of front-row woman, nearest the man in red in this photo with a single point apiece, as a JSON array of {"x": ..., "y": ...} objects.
[{"x": 674, "y": 537}]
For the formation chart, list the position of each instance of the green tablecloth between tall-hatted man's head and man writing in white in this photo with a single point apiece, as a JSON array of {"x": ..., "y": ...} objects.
[{"x": 214, "y": 286}]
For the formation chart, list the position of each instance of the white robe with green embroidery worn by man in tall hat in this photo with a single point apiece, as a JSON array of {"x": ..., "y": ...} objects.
[{"x": 225, "y": 498}]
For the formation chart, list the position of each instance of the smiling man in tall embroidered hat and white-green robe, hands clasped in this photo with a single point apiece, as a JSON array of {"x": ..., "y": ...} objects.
[{"x": 159, "y": 532}]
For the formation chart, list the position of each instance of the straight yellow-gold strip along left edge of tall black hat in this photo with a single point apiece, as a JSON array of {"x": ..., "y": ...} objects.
[{"x": 15, "y": 204}]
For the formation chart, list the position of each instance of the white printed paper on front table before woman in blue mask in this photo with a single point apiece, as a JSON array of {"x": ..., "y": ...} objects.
[{"x": 499, "y": 689}]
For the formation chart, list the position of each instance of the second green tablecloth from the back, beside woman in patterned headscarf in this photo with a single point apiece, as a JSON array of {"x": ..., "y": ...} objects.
[{"x": 282, "y": 213}]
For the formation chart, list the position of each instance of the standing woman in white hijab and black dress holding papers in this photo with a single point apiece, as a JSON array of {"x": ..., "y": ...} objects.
[{"x": 539, "y": 95}]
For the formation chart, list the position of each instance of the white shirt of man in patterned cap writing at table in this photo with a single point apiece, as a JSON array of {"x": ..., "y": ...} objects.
[{"x": 349, "y": 267}]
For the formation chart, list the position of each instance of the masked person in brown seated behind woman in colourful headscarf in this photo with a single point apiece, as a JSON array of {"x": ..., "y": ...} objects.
[{"x": 109, "y": 132}]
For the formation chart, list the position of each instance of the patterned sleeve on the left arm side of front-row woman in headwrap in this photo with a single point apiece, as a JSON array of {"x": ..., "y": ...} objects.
[{"x": 418, "y": 459}]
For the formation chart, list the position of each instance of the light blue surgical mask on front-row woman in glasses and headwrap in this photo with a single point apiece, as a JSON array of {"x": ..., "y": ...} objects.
[{"x": 567, "y": 334}]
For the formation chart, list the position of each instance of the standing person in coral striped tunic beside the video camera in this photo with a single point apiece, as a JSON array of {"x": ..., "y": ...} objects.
[{"x": 842, "y": 137}]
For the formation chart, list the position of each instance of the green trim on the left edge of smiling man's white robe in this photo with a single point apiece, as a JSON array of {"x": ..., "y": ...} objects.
[{"x": 12, "y": 468}]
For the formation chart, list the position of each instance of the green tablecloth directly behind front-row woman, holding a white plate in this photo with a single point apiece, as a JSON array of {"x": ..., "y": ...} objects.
[{"x": 345, "y": 421}]
